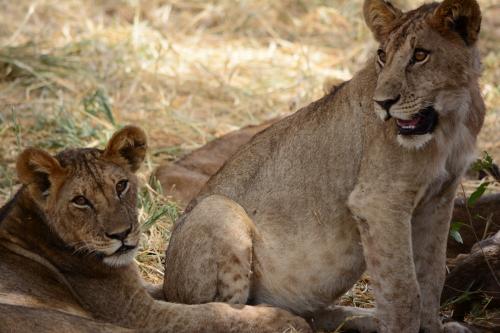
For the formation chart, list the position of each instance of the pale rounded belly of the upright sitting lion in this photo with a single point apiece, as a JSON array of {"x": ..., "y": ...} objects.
[{"x": 308, "y": 270}]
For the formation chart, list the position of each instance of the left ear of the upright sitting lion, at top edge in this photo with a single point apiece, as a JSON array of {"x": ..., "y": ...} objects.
[{"x": 379, "y": 16}]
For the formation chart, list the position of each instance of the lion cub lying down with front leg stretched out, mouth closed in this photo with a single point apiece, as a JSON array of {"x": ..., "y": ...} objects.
[{"x": 67, "y": 243}]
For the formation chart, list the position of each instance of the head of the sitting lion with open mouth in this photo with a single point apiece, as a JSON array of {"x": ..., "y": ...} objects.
[{"x": 426, "y": 61}]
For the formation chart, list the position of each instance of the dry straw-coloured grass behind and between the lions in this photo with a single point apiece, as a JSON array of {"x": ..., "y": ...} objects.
[{"x": 73, "y": 71}]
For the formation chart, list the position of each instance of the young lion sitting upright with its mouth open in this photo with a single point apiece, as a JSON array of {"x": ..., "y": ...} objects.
[{"x": 363, "y": 178}]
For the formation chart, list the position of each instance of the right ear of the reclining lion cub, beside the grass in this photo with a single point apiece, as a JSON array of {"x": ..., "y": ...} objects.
[{"x": 127, "y": 147}]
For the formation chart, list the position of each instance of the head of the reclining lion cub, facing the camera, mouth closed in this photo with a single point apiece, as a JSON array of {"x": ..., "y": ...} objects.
[{"x": 89, "y": 196}]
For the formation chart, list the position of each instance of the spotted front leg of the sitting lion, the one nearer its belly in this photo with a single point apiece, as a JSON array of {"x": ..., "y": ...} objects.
[{"x": 384, "y": 222}]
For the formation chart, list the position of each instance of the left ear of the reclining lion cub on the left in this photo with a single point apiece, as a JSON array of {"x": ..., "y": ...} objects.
[{"x": 38, "y": 169}]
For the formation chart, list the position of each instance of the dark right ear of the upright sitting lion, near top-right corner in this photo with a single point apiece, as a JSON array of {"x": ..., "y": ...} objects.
[{"x": 460, "y": 16}]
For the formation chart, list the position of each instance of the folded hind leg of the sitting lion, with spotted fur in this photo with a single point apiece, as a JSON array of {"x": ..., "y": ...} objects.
[{"x": 209, "y": 257}]
